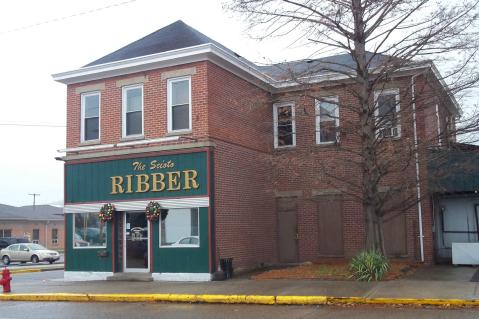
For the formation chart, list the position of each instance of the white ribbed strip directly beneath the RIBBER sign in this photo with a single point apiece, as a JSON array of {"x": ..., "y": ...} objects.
[{"x": 186, "y": 202}]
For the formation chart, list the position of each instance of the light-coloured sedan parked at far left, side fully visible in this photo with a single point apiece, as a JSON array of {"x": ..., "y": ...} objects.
[{"x": 28, "y": 252}]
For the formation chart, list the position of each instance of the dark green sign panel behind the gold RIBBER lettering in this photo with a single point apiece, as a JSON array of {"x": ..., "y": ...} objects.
[{"x": 91, "y": 182}]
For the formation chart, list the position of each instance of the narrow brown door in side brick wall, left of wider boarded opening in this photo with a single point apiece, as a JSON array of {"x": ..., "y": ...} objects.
[{"x": 288, "y": 247}]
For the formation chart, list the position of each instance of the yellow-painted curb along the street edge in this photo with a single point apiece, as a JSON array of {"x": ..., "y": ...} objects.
[{"x": 238, "y": 299}]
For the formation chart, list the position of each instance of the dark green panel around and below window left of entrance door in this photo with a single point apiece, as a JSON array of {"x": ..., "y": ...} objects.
[{"x": 86, "y": 259}]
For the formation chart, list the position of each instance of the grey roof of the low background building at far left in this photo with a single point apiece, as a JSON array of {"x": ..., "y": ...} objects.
[{"x": 41, "y": 212}]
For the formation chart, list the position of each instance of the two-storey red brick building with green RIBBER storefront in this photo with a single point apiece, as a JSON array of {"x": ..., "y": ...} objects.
[{"x": 226, "y": 147}]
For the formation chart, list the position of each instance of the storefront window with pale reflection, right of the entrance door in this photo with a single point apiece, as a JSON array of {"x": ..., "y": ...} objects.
[{"x": 179, "y": 228}]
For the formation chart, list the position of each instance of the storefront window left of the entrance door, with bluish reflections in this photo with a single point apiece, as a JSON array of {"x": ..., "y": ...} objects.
[{"x": 88, "y": 231}]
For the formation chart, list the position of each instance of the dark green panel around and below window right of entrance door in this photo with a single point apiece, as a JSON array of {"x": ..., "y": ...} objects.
[{"x": 182, "y": 260}]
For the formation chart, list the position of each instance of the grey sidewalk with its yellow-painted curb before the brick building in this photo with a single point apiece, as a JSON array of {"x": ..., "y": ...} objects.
[{"x": 415, "y": 289}]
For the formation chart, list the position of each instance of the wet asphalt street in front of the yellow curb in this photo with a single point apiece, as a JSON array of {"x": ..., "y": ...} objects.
[{"x": 17, "y": 310}]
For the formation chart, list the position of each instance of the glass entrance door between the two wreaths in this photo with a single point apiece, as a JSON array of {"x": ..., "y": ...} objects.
[{"x": 136, "y": 248}]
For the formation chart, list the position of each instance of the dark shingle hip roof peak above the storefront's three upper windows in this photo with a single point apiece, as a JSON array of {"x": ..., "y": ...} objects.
[{"x": 175, "y": 36}]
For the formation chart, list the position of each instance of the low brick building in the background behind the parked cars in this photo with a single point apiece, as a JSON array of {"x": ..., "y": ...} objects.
[{"x": 43, "y": 224}]
